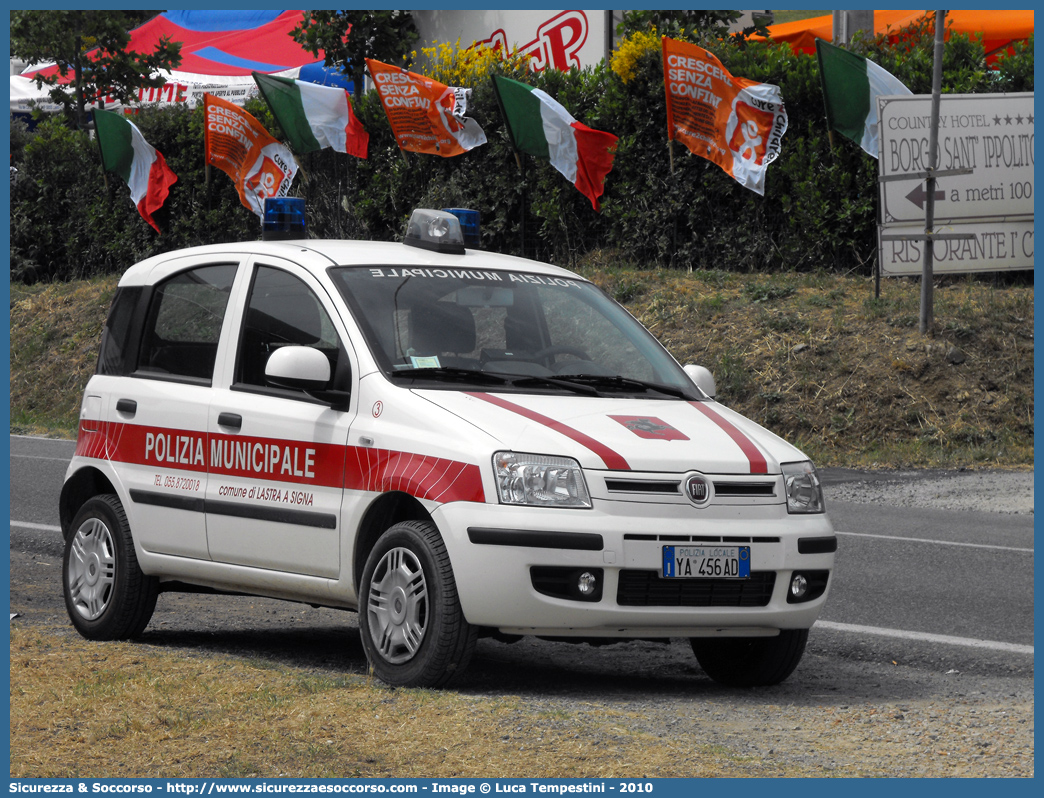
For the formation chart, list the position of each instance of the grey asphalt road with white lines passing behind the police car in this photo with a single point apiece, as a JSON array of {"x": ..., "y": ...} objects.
[{"x": 948, "y": 589}]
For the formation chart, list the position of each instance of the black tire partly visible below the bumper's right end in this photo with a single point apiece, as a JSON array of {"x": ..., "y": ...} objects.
[{"x": 751, "y": 662}]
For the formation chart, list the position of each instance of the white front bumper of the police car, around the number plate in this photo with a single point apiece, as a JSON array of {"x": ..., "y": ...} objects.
[{"x": 495, "y": 549}]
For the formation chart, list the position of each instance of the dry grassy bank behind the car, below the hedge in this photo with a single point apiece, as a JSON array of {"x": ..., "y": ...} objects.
[{"x": 815, "y": 358}]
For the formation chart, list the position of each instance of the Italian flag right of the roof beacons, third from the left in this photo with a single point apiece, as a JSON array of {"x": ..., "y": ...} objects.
[{"x": 542, "y": 128}]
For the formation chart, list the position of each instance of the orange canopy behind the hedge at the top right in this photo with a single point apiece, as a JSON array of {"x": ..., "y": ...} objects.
[{"x": 999, "y": 29}]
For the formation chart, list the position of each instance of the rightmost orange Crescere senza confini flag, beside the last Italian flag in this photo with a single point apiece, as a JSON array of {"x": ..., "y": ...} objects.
[{"x": 732, "y": 122}]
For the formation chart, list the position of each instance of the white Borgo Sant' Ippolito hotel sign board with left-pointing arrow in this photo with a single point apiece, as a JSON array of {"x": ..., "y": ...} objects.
[{"x": 991, "y": 134}]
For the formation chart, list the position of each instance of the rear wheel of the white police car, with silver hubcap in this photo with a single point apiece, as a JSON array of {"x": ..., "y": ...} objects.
[{"x": 107, "y": 596}]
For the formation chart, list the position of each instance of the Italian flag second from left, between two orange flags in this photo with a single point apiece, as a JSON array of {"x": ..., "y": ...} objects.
[{"x": 314, "y": 116}]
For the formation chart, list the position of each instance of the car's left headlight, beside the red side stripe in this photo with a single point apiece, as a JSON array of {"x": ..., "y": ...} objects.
[{"x": 540, "y": 481}]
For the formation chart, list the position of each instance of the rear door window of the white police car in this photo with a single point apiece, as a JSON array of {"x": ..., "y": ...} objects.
[{"x": 184, "y": 323}]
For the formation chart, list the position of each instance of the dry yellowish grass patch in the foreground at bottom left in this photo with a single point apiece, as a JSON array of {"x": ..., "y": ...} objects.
[{"x": 126, "y": 711}]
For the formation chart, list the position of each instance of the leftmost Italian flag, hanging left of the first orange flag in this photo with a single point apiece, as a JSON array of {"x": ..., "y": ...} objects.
[{"x": 126, "y": 152}]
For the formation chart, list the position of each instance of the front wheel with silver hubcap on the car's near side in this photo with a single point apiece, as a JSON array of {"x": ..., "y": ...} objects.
[{"x": 413, "y": 628}]
